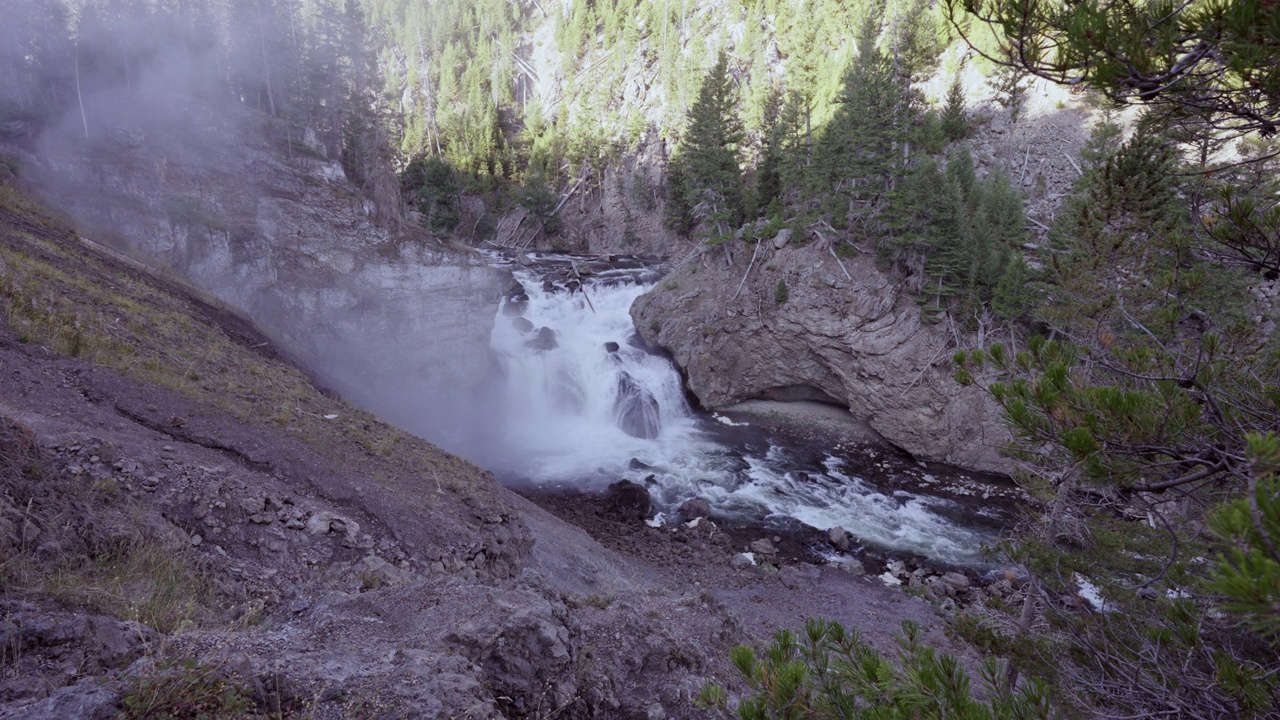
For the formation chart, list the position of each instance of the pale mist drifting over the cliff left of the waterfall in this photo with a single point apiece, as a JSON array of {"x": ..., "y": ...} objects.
[{"x": 227, "y": 142}]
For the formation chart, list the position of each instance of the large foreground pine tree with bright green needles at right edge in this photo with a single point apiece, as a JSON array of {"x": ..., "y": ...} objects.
[{"x": 1160, "y": 404}]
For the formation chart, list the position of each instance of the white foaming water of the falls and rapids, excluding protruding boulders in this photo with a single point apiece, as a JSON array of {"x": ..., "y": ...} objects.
[{"x": 561, "y": 427}]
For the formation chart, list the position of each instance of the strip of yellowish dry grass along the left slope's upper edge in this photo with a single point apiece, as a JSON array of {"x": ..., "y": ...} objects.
[{"x": 60, "y": 293}]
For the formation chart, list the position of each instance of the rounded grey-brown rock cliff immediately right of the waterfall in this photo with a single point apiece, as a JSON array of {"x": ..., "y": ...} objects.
[{"x": 853, "y": 340}]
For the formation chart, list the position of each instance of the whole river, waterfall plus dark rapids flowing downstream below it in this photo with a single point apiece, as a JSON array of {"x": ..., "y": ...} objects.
[{"x": 587, "y": 404}]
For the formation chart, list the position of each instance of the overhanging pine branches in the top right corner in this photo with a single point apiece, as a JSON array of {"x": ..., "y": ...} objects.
[{"x": 1214, "y": 65}]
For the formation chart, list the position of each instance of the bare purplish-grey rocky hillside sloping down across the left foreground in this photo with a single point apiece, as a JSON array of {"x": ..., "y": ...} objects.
[{"x": 189, "y": 521}]
